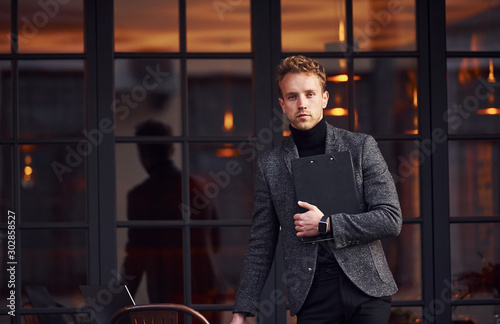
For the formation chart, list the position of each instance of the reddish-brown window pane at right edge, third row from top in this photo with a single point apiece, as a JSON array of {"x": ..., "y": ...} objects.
[{"x": 474, "y": 178}]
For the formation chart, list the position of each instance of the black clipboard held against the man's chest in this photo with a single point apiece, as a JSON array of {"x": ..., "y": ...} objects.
[{"x": 326, "y": 181}]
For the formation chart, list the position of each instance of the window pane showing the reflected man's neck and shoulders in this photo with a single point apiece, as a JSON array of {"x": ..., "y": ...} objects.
[{"x": 149, "y": 184}]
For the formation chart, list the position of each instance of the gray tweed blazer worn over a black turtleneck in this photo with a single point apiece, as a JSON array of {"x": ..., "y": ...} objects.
[{"x": 356, "y": 243}]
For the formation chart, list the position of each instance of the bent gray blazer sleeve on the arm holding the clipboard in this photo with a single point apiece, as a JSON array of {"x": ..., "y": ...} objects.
[{"x": 382, "y": 217}]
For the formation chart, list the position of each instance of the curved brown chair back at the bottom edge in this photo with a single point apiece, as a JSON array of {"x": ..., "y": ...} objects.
[{"x": 155, "y": 314}]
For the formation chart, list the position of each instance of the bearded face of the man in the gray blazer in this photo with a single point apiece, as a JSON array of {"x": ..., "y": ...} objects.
[{"x": 303, "y": 99}]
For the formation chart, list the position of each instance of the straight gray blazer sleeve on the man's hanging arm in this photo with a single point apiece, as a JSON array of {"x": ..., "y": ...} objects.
[{"x": 264, "y": 234}]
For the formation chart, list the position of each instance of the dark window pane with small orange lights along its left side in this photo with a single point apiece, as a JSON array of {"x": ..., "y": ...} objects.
[{"x": 53, "y": 182}]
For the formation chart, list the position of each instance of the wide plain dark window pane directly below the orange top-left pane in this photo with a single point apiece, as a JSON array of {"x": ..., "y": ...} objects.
[{"x": 51, "y": 99}]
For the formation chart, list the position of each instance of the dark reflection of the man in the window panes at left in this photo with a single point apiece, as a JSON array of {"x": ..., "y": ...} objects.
[{"x": 158, "y": 252}]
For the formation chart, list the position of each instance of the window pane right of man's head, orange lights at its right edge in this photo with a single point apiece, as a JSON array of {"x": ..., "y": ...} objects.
[{"x": 386, "y": 98}]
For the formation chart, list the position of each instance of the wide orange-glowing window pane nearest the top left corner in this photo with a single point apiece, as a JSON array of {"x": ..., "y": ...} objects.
[{"x": 50, "y": 26}]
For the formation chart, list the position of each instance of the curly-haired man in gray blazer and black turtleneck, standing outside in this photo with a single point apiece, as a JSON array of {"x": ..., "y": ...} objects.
[{"x": 347, "y": 279}]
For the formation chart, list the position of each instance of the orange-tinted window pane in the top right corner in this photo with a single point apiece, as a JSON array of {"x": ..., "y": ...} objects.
[{"x": 472, "y": 25}]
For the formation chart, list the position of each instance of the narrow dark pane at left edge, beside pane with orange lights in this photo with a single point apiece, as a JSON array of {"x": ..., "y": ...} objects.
[{"x": 6, "y": 185}]
